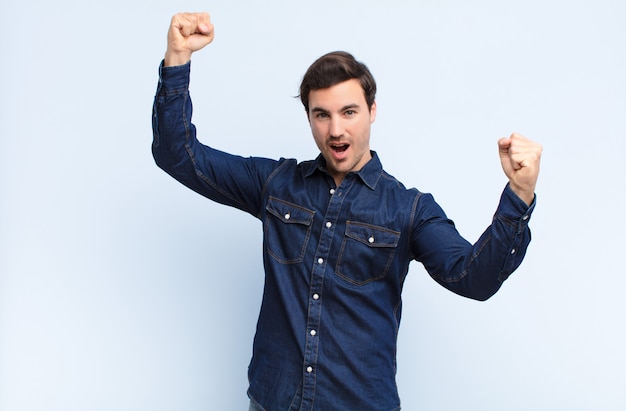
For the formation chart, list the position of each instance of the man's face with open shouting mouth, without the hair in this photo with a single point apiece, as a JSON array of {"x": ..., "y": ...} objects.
[{"x": 340, "y": 121}]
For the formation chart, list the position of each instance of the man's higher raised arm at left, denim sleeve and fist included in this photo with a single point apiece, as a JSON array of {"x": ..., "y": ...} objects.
[{"x": 228, "y": 179}]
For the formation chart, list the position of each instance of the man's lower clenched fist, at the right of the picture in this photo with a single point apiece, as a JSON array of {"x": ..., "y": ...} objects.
[{"x": 520, "y": 161}]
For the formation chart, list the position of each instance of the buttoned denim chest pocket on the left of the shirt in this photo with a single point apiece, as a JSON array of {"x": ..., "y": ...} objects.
[{"x": 287, "y": 230}]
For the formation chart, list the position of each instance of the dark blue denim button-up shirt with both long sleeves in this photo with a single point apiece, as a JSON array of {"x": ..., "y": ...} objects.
[{"x": 335, "y": 260}]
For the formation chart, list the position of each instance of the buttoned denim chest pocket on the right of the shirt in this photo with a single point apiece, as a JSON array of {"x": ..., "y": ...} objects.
[{"x": 366, "y": 253}]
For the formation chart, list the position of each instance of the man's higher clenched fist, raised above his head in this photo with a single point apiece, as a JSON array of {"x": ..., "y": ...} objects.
[{"x": 189, "y": 32}]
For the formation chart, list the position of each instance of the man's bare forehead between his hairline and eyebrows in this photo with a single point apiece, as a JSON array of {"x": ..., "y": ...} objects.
[{"x": 349, "y": 92}]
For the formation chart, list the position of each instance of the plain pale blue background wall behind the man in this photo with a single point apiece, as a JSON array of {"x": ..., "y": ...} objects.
[{"x": 122, "y": 290}]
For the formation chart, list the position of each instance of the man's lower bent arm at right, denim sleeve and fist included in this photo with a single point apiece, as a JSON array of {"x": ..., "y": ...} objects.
[{"x": 478, "y": 270}]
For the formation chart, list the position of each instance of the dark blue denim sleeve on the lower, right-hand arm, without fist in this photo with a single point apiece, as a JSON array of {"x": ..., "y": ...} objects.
[{"x": 472, "y": 270}]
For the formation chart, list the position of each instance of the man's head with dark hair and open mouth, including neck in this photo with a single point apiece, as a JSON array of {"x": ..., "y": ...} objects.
[{"x": 338, "y": 95}]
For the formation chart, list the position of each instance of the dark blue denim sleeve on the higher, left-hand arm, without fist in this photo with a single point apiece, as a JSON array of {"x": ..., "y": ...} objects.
[{"x": 228, "y": 179}]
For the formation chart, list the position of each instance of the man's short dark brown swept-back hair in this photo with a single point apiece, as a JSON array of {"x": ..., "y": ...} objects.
[{"x": 334, "y": 68}]
